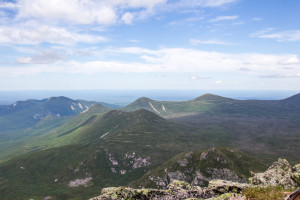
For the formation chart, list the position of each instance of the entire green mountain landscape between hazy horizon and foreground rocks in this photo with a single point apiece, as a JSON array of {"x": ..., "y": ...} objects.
[{"x": 71, "y": 148}]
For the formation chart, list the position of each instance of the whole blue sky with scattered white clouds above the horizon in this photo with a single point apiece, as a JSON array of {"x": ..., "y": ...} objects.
[{"x": 149, "y": 44}]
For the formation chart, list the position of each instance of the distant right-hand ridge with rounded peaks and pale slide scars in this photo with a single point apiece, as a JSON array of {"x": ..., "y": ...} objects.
[{"x": 217, "y": 105}]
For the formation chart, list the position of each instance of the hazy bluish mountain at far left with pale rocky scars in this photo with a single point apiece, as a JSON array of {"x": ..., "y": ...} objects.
[{"x": 25, "y": 120}]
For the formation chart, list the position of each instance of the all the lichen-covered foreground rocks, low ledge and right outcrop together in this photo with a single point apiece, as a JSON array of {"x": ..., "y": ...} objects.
[{"x": 279, "y": 173}]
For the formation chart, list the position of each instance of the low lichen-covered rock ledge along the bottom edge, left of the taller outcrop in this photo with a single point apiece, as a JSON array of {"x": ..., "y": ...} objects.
[{"x": 178, "y": 190}]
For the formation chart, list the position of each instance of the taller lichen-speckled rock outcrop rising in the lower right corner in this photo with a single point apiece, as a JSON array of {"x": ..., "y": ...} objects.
[{"x": 279, "y": 173}]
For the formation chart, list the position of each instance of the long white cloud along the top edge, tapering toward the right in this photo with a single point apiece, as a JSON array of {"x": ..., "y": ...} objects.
[{"x": 100, "y": 12}]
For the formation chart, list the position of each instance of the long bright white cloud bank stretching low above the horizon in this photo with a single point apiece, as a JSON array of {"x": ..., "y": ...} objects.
[{"x": 175, "y": 60}]
